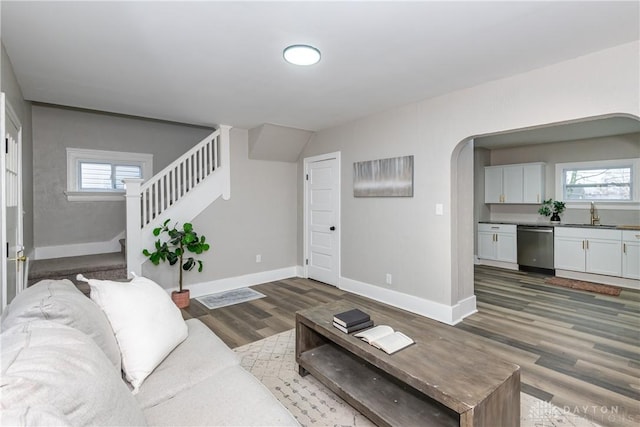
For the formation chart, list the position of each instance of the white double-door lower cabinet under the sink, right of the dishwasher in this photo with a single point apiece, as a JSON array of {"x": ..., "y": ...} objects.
[{"x": 588, "y": 250}]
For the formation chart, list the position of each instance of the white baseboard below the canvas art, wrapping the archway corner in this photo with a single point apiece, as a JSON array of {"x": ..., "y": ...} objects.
[{"x": 424, "y": 307}]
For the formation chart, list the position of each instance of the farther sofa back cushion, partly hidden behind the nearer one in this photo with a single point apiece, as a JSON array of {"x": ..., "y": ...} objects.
[{"x": 60, "y": 301}]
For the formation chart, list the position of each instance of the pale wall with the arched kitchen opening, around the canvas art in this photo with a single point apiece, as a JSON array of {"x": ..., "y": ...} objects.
[{"x": 404, "y": 236}]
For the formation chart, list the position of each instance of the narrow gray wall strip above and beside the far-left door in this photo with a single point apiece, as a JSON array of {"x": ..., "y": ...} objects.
[{"x": 22, "y": 108}]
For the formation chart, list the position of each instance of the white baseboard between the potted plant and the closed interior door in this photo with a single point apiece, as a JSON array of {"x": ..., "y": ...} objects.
[{"x": 229, "y": 283}]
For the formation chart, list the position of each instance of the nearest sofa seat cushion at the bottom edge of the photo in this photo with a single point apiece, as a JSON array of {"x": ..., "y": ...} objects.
[{"x": 240, "y": 400}]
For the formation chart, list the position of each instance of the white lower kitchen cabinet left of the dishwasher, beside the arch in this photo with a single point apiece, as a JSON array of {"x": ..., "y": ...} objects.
[{"x": 497, "y": 242}]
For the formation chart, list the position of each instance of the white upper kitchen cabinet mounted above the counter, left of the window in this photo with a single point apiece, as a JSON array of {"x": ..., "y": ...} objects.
[{"x": 521, "y": 183}]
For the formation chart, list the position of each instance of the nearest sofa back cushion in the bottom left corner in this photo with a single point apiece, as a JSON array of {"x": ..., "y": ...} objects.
[{"x": 47, "y": 365}]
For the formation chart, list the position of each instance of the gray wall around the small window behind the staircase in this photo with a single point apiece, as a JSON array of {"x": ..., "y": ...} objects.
[{"x": 58, "y": 221}]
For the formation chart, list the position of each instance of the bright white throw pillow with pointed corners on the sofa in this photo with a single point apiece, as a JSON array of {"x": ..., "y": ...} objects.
[{"x": 147, "y": 324}]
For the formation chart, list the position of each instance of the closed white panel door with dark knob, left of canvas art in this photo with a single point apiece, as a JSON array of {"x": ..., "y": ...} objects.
[{"x": 322, "y": 214}]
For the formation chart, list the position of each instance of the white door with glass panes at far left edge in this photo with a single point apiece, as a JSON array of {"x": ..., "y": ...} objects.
[{"x": 13, "y": 260}]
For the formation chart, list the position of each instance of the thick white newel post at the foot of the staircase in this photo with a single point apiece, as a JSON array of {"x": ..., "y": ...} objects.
[{"x": 134, "y": 226}]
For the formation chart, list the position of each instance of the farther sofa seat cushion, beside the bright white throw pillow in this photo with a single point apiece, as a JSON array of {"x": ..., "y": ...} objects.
[{"x": 198, "y": 357}]
